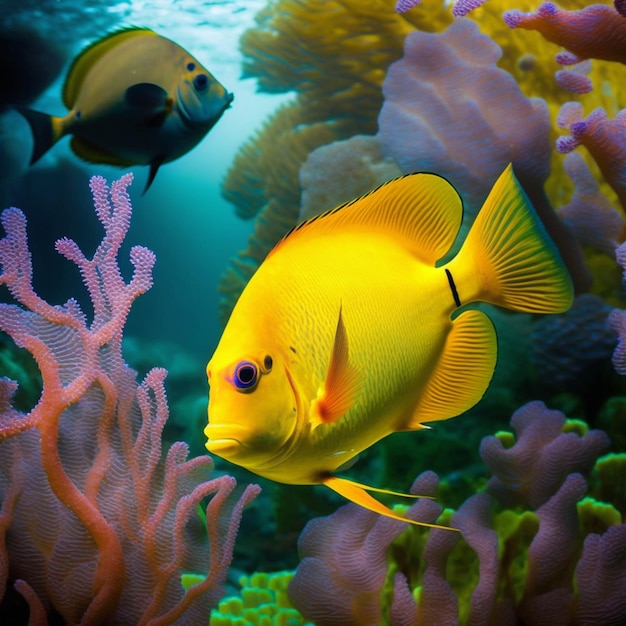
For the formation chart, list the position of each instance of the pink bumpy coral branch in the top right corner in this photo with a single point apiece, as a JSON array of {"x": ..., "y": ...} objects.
[{"x": 595, "y": 32}]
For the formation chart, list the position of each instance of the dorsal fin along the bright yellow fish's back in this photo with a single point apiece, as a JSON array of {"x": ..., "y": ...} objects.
[{"x": 423, "y": 212}]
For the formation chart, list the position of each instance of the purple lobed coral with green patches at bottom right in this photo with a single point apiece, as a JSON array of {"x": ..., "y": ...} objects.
[{"x": 509, "y": 563}]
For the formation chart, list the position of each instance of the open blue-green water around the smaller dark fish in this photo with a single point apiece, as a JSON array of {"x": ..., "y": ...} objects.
[{"x": 183, "y": 217}]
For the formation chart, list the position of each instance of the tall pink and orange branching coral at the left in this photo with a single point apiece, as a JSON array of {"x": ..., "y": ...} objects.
[{"x": 95, "y": 527}]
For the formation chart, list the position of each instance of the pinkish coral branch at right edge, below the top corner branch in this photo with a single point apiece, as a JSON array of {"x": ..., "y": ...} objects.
[{"x": 604, "y": 138}]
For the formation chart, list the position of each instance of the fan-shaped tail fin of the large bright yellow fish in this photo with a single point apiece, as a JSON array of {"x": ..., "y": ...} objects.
[{"x": 515, "y": 264}]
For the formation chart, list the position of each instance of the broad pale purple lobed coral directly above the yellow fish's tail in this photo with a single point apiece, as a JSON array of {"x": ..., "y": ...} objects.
[{"x": 462, "y": 123}]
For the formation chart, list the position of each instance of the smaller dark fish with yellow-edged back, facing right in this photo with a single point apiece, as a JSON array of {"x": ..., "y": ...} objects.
[{"x": 135, "y": 98}]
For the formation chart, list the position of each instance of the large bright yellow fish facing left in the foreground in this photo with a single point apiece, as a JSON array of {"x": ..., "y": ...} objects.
[{"x": 359, "y": 323}]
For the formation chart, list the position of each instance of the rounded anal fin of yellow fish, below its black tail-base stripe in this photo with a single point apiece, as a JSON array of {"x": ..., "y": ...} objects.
[{"x": 463, "y": 372}]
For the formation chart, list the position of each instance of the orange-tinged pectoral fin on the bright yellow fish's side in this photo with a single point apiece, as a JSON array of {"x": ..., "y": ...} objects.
[{"x": 338, "y": 392}]
